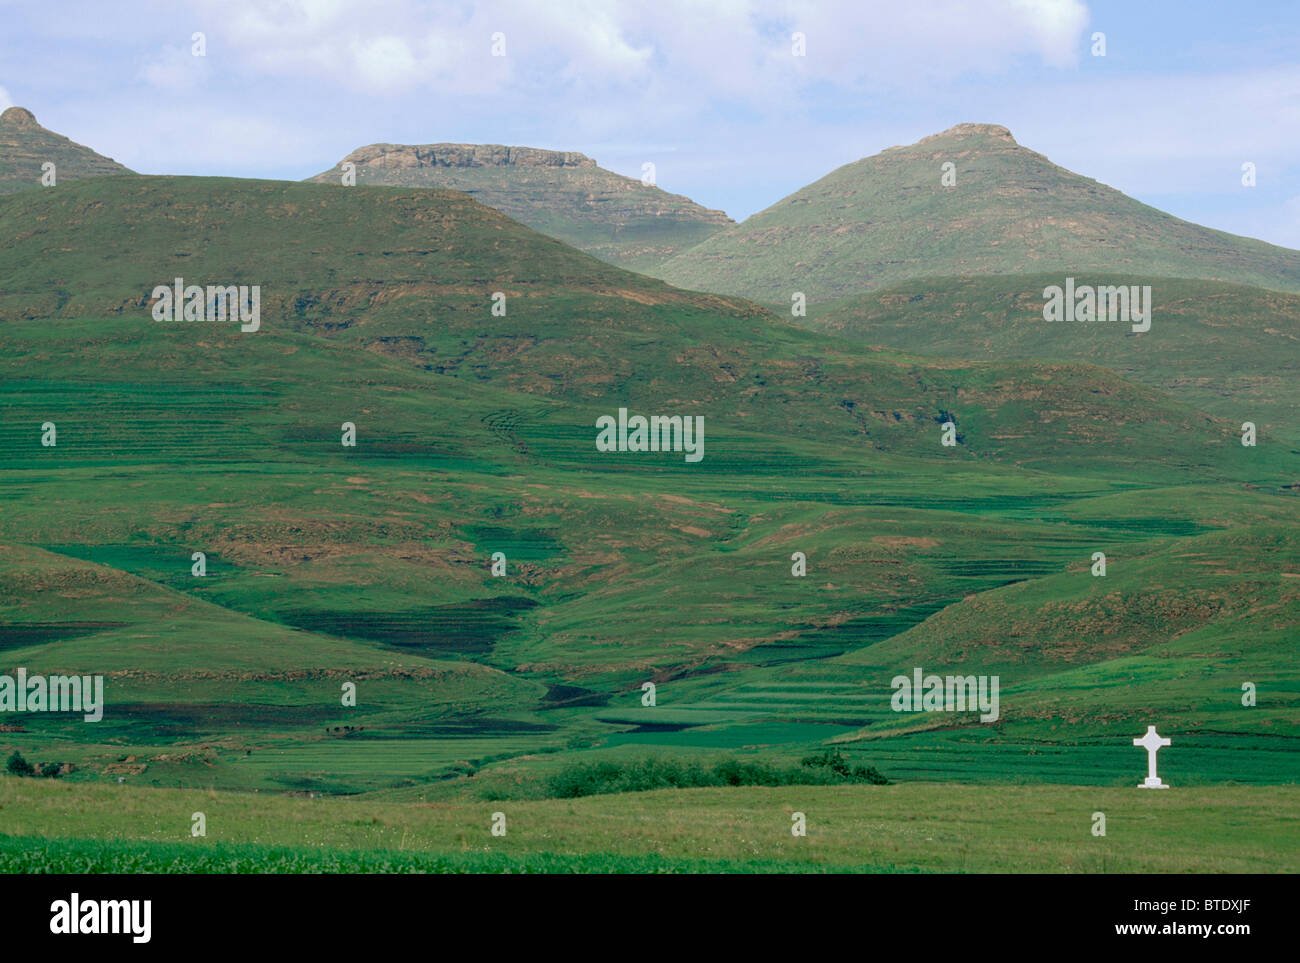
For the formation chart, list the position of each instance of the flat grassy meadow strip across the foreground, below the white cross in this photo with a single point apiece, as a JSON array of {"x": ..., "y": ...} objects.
[{"x": 916, "y": 827}]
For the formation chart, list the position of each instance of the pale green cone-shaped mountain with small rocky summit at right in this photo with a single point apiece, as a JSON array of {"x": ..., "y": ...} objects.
[{"x": 889, "y": 219}]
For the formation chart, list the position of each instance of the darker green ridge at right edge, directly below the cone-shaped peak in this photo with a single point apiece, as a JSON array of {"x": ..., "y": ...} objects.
[{"x": 1227, "y": 349}]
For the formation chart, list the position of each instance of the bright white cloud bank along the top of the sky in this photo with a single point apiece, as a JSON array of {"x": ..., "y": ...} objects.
[{"x": 733, "y": 49}]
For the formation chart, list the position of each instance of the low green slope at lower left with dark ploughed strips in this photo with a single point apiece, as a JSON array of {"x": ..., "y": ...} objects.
[{"x": 187, "y": 682}]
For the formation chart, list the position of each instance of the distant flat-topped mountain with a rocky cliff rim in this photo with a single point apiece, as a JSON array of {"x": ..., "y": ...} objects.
[{"x": 558, "y": 193}]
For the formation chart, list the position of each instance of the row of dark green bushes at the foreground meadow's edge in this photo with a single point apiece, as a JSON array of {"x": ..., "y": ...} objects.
[{"x": 826, "y": 769}]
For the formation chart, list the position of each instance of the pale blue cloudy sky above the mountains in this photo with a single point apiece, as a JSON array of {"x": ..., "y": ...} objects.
[{"x": 710, "y": 93}]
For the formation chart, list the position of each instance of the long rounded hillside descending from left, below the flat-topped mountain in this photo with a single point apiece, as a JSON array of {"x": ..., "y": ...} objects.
[{"x": 411, "y": 274}]
